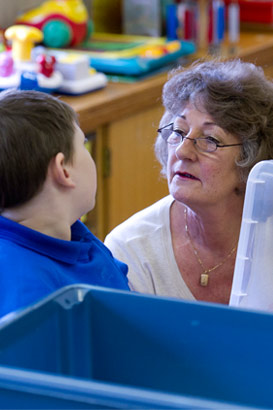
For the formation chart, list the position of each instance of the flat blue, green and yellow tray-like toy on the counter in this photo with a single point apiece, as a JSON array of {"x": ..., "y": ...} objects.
[{"x": 131, "y": 55}]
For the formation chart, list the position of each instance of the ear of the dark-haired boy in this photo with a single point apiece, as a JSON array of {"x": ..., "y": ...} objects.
[{"x": 60, "y": 171}]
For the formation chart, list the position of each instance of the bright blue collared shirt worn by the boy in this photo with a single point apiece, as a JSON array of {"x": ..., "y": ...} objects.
[{"x": 32, "y": 265}]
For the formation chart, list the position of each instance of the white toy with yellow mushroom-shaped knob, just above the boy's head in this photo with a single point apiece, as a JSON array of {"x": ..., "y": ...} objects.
[{"x": 26, "y": 67}]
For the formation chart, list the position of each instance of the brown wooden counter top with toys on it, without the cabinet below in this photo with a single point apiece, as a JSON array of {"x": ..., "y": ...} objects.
[{"x": 118, "y": 100}]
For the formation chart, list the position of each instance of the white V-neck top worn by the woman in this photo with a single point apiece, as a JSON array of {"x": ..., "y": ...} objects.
[{"x": 144, "y": 243}]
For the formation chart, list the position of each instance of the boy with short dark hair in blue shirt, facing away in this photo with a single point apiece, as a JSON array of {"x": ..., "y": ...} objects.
[{"x": 47, "y": 182}]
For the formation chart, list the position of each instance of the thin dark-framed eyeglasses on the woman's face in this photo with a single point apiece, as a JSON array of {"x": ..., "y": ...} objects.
[{"x": 176, "y": 137}]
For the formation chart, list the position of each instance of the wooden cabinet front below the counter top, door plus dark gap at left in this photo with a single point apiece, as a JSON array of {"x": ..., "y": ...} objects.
[{"x": 129, "y": 176}]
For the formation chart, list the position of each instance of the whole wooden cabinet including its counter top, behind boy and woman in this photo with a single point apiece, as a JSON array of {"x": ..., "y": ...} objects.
[{"x": 122, "y": 120}]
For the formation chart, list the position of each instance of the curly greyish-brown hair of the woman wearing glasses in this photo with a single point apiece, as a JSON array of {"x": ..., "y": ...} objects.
[{"x": 236, "y": 94}]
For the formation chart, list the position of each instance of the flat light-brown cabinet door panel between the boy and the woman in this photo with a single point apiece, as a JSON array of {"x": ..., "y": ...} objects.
[{"x": 134, "y": 181}]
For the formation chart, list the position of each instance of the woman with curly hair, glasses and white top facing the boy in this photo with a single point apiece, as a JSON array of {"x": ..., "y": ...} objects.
[{"x": 218, "y": 123}]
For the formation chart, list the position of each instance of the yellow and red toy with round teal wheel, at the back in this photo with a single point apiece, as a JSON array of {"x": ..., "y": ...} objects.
[{"x": 63, "y": 22}]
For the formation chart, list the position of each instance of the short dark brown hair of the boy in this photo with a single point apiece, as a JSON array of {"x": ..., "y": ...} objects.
[{"x": 34, "y": 127}]
